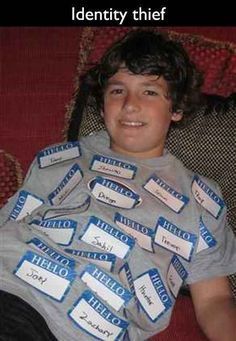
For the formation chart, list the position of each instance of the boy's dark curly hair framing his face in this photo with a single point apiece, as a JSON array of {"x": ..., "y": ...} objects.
[{"x": 146, "y": 52}]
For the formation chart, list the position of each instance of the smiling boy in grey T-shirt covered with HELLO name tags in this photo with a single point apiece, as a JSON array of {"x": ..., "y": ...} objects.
[{"x": 115, "y": 192}]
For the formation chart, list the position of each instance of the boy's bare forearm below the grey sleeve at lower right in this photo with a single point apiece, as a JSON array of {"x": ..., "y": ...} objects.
[{"x": 215, "y": 308}]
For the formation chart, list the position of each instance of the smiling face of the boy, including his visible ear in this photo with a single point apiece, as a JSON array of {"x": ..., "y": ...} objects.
[{"x": 137, "y": 114}]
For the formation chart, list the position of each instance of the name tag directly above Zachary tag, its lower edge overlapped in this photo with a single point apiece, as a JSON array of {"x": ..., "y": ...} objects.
[{"x": 106, "y": 287}]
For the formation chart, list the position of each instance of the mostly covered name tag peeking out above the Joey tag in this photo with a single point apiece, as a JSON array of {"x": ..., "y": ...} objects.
[{"x": 55, "y": 255}]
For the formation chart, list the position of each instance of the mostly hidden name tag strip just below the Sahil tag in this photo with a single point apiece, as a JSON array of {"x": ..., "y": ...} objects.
[{"x": 105, "y": 260}]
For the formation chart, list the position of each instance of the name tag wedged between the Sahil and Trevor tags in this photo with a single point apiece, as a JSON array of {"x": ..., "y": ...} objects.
[{"x": 141, "y": 233}]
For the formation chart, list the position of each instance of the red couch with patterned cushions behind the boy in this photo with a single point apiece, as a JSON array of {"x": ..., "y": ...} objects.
[{"x": 44, "y": 118}]
